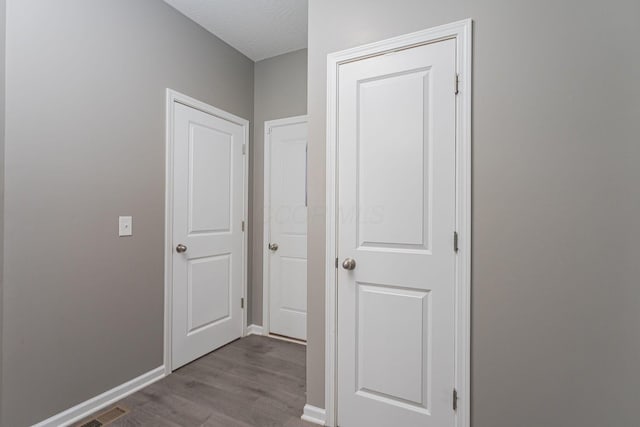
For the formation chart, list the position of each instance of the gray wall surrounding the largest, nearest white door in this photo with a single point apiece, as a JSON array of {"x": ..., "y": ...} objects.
[{"x": 556, "y": 200}]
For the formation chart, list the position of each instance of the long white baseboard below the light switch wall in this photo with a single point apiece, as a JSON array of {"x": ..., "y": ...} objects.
[{"x": 103, "y": 400}]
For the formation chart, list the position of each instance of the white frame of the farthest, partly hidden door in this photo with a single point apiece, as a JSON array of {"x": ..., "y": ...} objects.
[{"x": 266, "y": 282}]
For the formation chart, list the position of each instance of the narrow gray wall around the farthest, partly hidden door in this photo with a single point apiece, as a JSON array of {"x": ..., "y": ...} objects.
[{"x": 280, "y": 91}]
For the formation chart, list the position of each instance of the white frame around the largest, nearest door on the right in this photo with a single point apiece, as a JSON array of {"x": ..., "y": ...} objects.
[{"x": 461, "y": 32}]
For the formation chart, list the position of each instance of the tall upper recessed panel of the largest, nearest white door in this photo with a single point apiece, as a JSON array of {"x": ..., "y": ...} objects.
[{"x": 393, "y": 160}]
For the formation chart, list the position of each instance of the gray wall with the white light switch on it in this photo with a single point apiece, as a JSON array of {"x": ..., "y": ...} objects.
[{"x": 83, "y": 309}]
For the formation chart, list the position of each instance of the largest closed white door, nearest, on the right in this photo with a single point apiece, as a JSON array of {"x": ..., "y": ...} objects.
[{"x": 396, "y": 199}]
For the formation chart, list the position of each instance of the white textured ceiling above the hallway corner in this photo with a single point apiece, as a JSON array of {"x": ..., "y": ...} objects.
[{"x": 258, "y": 28}]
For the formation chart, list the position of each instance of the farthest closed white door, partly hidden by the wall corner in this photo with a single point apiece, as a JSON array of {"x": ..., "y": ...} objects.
[{"x": 286, "y": 208}]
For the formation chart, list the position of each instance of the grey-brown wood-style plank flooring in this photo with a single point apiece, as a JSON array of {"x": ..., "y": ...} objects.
[{"x": 253, "y": 382}]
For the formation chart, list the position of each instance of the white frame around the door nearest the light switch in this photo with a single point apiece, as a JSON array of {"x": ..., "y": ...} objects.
[{"x": 172, "y": 98}]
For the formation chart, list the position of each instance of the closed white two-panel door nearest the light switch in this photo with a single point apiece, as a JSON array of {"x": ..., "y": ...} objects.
[{"x": 208, "y": 206}]
